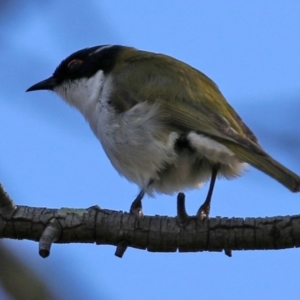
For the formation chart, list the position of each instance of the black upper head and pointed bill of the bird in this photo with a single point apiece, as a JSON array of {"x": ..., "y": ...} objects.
[{"x": 81, "y": 64}]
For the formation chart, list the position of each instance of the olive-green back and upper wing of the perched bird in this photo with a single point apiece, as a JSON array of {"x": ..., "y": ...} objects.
[{"x": 194, "y": 100}]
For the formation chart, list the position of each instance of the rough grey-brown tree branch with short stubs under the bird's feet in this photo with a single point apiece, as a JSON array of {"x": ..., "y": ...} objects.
[{"x": 156, "y": 234}]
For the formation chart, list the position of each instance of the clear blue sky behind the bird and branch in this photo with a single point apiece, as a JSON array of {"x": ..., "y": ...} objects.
[{"x": 50, "y": 158}]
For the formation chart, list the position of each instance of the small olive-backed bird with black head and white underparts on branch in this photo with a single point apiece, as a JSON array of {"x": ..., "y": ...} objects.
[{"x": 163, "y": 124}]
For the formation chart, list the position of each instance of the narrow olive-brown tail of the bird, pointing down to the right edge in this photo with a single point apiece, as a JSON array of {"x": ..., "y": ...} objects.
[{"x": 268, "y": 165}]
